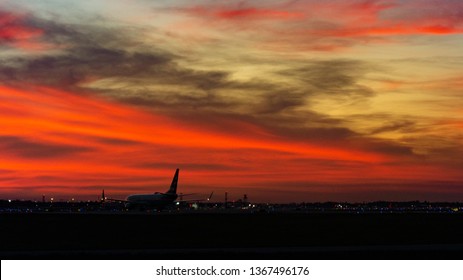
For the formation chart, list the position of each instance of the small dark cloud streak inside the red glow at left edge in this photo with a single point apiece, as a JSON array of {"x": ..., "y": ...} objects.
[{"x": 31, "y": 149}]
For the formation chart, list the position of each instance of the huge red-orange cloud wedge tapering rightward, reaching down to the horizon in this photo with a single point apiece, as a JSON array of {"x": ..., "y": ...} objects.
[{"x": 79, "y": 141}]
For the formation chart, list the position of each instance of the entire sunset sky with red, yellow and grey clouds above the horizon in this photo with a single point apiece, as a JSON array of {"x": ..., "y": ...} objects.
[{"x": 285, "y": 101}]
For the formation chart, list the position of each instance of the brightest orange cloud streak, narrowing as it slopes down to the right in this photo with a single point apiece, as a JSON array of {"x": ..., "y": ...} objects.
[{"x": 54, "y": 110}]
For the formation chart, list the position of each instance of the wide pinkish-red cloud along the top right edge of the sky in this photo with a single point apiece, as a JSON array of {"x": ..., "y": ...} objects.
[{"x": 332, "y": 25}]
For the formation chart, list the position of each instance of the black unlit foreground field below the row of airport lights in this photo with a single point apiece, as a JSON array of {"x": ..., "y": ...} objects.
[{"x": 232, "y": 235}]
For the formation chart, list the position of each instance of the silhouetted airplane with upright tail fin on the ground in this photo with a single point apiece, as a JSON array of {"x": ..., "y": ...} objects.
[{"x": 156, "y": 200}]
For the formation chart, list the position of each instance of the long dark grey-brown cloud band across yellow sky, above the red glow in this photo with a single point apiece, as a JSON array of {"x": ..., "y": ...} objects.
[{"x": 88, "y": 51}]
